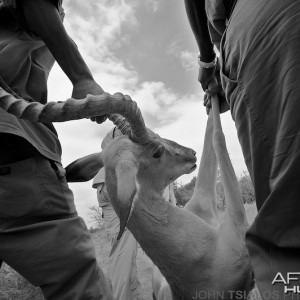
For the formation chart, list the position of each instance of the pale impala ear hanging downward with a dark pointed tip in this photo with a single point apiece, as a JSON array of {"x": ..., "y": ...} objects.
[{"x": 126, "y": 190}]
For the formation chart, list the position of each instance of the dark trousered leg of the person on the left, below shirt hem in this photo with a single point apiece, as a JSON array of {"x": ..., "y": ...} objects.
[{"x": 41, "y": 235}]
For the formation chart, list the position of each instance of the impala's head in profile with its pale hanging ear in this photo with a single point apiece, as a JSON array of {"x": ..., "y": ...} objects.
[{"x": 141, "y": 157}]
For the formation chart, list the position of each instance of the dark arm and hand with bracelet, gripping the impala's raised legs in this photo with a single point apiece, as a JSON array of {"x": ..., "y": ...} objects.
[{"x": 196, "y": 14}]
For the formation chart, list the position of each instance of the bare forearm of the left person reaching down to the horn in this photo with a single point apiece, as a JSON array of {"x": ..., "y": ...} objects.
[{"x": 43, "y": 17}]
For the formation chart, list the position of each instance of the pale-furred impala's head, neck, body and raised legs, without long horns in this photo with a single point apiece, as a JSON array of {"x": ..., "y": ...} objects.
[{"x": 194, "y": 252}]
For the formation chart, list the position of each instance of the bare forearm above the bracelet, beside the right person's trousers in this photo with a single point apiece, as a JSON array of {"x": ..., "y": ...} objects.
[{"x": 196, "y": 14}]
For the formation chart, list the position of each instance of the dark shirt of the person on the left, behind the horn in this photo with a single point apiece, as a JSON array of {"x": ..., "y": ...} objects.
[{"x": 25, "y": 63}]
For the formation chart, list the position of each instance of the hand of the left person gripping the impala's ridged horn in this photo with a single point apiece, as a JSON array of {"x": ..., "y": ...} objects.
[{"x": 82, "y": 88}]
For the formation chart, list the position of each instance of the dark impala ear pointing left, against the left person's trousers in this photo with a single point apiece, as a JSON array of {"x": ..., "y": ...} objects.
[{"x": 85, "y": 168}]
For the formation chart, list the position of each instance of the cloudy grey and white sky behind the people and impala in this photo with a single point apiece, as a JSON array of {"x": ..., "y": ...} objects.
[{"x": 145, "y": 49}]
